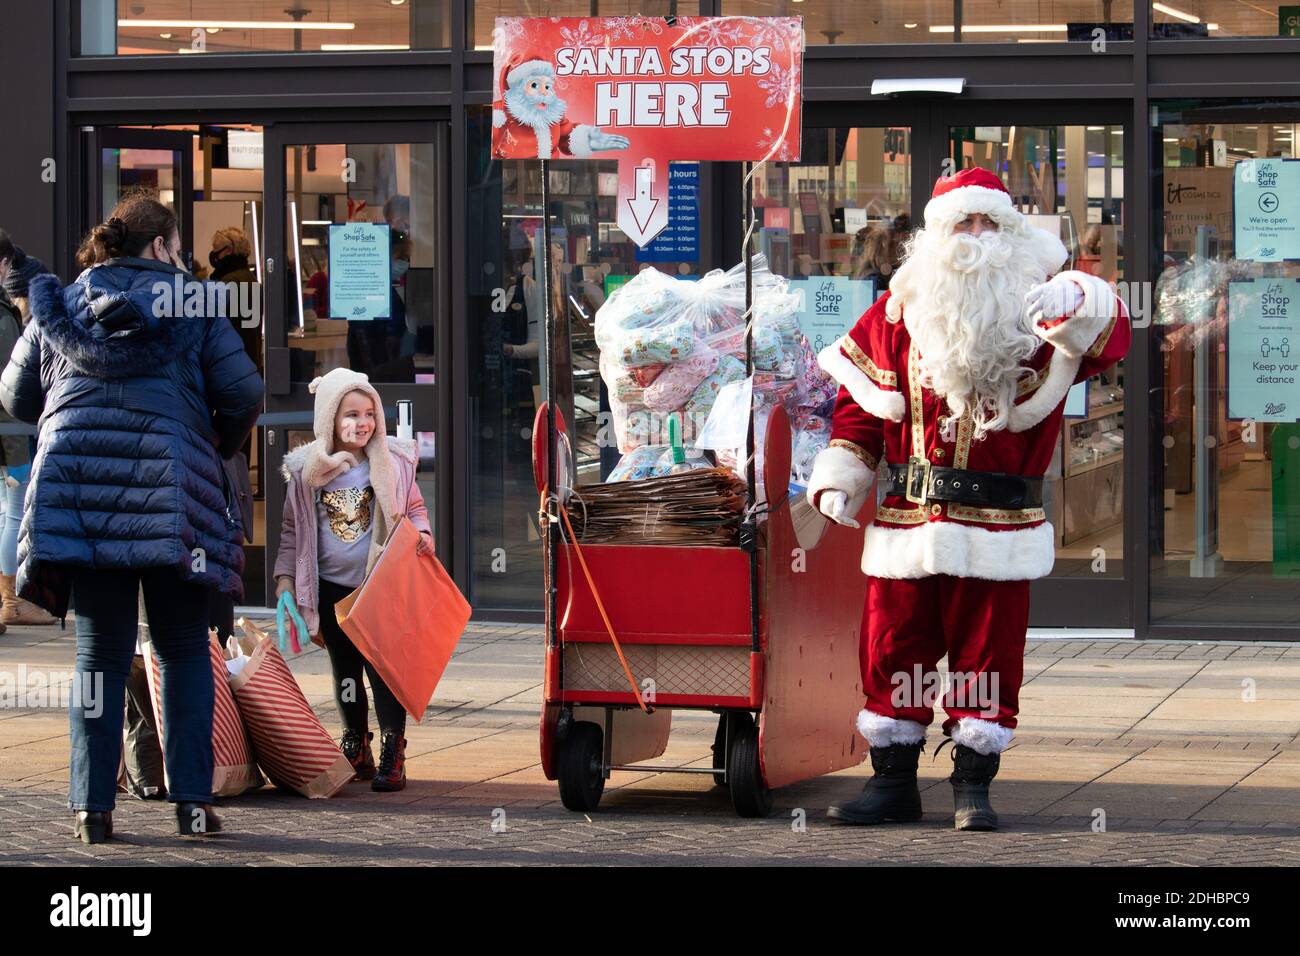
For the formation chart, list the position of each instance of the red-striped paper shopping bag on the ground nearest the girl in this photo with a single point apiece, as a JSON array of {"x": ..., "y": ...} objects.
[{"x": 293, "y": 747}]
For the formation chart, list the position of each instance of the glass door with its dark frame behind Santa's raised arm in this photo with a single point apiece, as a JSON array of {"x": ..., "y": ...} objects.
[{"x": 1069, "y": 179}]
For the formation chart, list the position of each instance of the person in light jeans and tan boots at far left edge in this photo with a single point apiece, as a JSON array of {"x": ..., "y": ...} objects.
[{"x": 16, "y": 271}]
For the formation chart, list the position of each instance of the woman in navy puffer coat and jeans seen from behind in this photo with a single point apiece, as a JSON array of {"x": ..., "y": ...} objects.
[{"x": 140, "y": 390}]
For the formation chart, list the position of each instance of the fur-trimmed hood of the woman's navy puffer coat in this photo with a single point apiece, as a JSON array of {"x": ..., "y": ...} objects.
[{"x": 109, "y": 323}]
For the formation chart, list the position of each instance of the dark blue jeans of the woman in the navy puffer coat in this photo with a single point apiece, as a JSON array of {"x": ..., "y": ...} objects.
[{"x": 106, "y": 607}]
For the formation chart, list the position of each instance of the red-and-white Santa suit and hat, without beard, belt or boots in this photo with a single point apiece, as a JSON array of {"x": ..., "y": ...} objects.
[{"x": 944, "y": 577}]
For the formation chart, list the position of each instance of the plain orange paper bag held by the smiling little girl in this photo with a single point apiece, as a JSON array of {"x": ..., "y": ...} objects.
[{"x": 406, "y": 618}]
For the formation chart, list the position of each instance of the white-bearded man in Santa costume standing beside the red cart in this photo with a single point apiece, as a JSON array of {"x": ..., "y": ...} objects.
[{"x": 952, "y": 395}]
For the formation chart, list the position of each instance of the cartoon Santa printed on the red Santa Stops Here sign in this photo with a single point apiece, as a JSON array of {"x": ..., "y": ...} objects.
[{"x": 530, "y": 118}]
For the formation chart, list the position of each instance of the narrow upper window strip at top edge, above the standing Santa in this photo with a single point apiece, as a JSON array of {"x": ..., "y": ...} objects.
[{"x": 947, "y": 21}]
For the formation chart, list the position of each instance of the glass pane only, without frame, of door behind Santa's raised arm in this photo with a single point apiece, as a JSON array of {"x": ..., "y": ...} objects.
[{"x": 1069, "y": 180}]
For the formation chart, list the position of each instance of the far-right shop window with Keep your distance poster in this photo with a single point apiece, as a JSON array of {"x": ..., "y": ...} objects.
[{"x": 1227, "y": 388}]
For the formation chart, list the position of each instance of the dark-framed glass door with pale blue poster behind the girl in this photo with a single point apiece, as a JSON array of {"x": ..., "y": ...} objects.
[{"x": 357, "y": 272}]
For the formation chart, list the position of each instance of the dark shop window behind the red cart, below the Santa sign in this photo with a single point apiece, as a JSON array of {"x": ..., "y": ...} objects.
[{"x": 591, "y": 258}]
